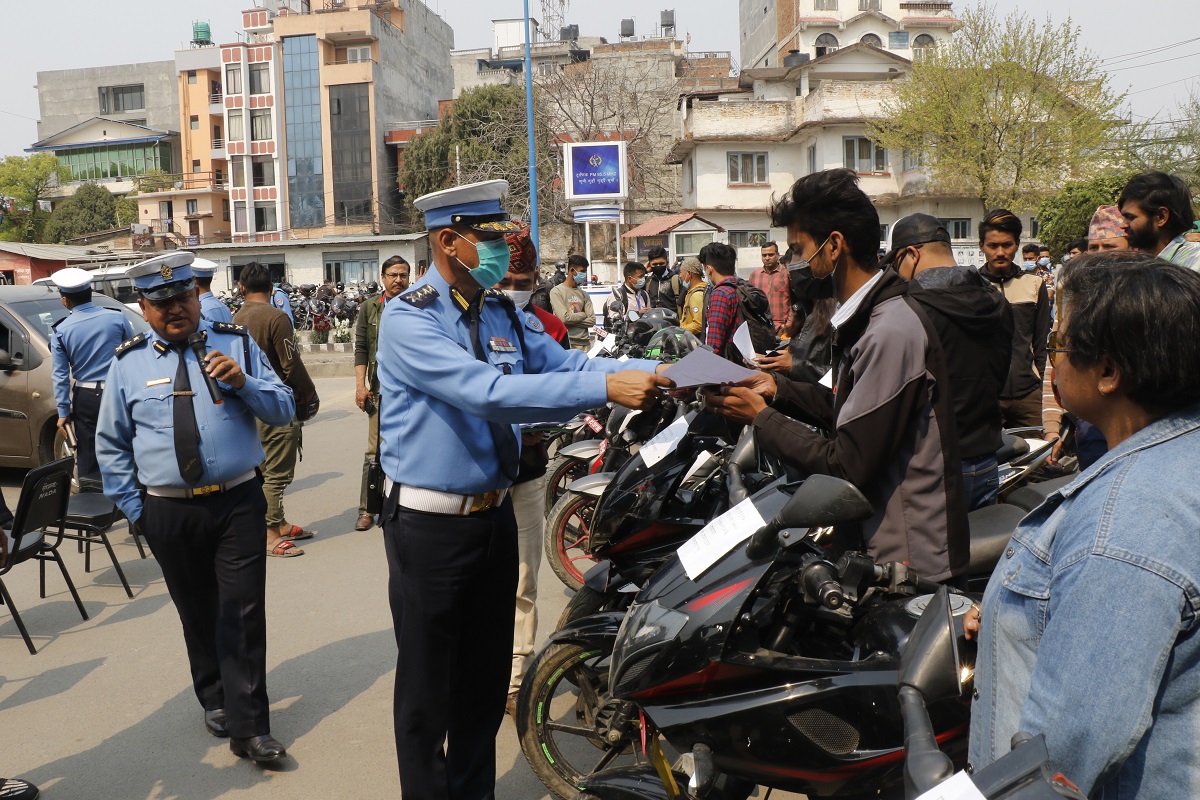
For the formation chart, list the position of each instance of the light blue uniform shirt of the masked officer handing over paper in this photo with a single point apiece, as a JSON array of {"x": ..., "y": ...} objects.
[{"x": 437, "y": 398}]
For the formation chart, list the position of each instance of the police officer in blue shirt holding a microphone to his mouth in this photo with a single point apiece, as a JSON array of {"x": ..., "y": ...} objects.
[{"x": 183, "y": 470}]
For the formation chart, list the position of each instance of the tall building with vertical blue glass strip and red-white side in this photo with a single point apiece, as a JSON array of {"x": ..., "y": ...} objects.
[{"x": 308, "y": 101}]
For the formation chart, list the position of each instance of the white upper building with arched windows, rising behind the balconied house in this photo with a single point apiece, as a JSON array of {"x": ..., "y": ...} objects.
[{"x": 772, "y": 31}]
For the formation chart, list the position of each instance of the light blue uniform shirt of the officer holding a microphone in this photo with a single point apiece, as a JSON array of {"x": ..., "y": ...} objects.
[{"x": 136, "y": 438}]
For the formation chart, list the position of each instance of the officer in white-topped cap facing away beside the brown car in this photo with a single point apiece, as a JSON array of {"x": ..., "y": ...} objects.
[{"x": 81, "y": 351}]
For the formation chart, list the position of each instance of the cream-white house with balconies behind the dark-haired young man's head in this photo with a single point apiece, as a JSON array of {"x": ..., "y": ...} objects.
[{"x": 740, "y": 151}]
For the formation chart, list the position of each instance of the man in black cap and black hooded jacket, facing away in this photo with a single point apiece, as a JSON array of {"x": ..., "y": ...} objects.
[{"x": 975, "y": 329}]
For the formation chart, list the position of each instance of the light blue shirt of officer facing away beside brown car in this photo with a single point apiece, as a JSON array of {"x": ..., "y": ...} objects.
[{"x": 82, "y": 348}]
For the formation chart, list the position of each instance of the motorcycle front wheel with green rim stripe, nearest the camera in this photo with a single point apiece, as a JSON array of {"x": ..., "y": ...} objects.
[{"x": 560, "y": 733}]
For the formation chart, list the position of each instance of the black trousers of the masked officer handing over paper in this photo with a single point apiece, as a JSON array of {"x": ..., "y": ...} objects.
[{"x": 453, "y": 591}]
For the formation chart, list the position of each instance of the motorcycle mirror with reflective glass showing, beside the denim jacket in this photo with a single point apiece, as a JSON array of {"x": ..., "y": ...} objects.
[{"x": 931, "y": 660}]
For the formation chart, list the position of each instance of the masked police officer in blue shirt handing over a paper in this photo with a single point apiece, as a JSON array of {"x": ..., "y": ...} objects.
[{"x": 459, "y": 369}]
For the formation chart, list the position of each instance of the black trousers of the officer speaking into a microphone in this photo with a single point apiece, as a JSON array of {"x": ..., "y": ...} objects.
[{"x": 213, "y": 554}]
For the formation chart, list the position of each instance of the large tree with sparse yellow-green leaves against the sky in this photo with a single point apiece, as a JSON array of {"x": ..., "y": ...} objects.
[{"x": 1007, "y": 111}]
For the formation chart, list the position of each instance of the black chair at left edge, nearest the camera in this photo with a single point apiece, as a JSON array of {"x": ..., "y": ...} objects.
[{"x": 39, "y": 516}]
